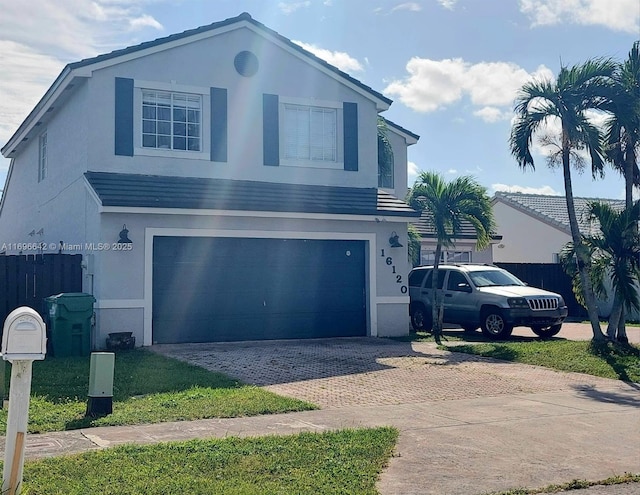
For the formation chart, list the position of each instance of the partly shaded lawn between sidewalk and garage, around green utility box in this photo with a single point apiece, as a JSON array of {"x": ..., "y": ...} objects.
[{"x": 148, "y": 388}]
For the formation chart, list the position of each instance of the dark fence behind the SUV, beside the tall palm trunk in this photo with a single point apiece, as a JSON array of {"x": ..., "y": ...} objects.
[{"x": 550, "y": 277}]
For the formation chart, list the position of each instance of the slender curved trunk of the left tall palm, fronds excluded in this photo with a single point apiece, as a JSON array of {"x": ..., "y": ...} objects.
[{"x": 582, "y": 256}]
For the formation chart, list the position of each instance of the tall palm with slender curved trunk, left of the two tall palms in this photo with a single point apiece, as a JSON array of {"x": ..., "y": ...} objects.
[{"x": 575, "y": 91}]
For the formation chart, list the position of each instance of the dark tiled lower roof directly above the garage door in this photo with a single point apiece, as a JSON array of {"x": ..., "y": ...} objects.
[{"x": 154, "y": 191}]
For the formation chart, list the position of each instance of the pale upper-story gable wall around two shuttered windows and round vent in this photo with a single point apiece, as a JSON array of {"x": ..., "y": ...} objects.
[{"x": 209, "y": 63}]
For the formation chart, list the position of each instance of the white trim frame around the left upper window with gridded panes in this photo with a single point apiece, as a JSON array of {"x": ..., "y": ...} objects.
[{"x": 205, "y": 116}]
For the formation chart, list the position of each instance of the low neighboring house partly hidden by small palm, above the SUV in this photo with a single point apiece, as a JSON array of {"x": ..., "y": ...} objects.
[{"x": 462, "y": 251}]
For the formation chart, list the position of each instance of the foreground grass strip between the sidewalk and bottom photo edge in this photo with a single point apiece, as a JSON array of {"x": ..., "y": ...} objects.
[{"x": 342, "y": 462}]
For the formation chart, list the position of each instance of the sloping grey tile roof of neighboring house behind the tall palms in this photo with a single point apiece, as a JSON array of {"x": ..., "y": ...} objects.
[{"x": 553, "y": 209}]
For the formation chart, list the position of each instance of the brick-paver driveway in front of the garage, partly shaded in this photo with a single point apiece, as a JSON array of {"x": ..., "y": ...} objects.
[{"x": 334, "y": 373}]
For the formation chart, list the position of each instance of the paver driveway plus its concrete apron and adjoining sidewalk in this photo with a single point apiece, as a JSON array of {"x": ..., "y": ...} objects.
[{"x": 467, "y": 425}]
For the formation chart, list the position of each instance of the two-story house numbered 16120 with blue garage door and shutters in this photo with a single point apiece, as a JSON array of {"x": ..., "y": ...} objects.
[{"x": 222, "y": 184}]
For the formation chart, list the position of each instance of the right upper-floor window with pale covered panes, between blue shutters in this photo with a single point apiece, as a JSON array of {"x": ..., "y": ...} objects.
[{"x": 310, "y": 133}]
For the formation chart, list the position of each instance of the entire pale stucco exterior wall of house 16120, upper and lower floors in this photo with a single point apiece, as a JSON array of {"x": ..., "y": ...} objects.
[{"x": 81, "y": 137}]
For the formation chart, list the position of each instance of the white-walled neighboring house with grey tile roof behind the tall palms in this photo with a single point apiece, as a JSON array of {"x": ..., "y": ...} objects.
[{"x": 535, "y": 227}]
